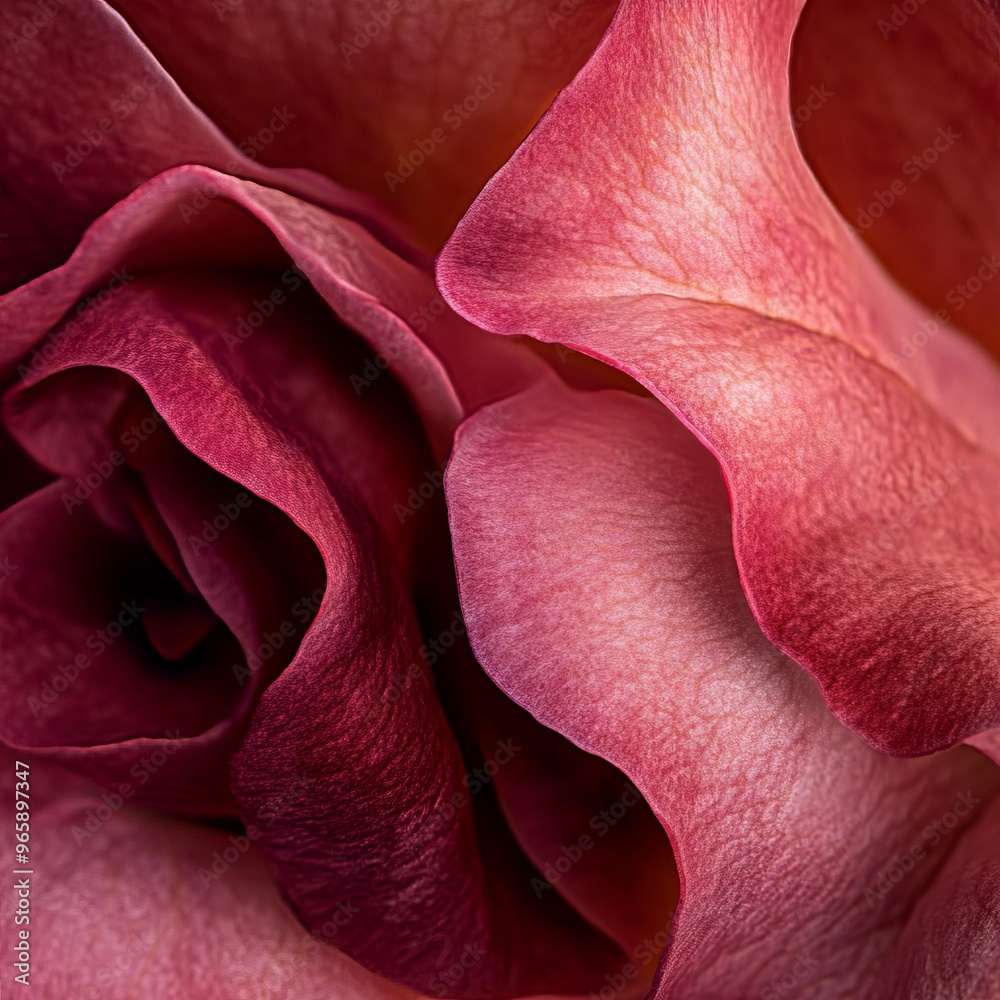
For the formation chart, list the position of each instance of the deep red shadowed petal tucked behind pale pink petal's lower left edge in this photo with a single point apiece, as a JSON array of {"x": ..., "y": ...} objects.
[{"x": 591, "y": 836}]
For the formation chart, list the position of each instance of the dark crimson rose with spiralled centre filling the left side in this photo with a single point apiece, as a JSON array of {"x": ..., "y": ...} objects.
[{"x": 224, "y": 516}]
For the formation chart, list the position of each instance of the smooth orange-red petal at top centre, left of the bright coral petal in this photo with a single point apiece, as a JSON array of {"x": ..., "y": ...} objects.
[{"x": 416, "y": 102}]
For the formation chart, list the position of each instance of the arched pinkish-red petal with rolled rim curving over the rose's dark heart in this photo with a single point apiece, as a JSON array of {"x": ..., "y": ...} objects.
[{"x": 447, "y": 366}]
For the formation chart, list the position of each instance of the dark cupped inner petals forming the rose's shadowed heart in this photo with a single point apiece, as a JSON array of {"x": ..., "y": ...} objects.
[{"x": 142, "y": 597}]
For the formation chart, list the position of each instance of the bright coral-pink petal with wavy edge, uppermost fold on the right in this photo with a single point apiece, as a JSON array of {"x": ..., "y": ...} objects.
[{"x": 689, "y": 244}]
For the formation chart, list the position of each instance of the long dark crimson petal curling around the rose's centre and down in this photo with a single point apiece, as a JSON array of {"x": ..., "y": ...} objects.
[{"x": 370, "y": 823}]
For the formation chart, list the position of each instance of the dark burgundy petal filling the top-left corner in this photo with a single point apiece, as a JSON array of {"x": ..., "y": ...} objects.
[{"x": 90, "y": 115}]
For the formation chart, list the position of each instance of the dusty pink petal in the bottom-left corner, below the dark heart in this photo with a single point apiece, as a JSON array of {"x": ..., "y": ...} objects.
[{"x": 126, "y": 903}]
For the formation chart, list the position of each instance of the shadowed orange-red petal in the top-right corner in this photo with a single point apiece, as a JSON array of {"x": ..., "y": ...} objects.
[{"x": 907, "y": 139}]
